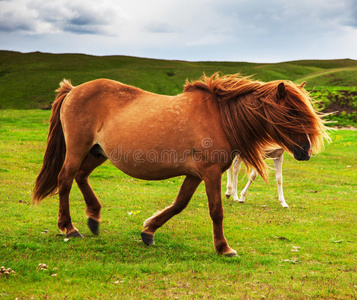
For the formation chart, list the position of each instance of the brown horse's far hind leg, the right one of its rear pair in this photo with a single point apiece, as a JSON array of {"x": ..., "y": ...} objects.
[{"x": 93, "y": 205}]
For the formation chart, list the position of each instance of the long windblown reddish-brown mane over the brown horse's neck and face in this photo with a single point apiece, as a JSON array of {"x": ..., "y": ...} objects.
[{"x": 254, "y": 116}]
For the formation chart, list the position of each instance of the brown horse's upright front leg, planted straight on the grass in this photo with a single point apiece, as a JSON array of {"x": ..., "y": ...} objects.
[{"x": 213, "y": 189}]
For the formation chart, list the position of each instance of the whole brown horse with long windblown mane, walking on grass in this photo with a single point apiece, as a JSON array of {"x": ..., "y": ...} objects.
[{"x": 154, "y": 137}]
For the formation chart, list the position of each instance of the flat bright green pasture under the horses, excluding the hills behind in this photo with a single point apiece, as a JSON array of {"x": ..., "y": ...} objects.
[{"x": 306, "y": 251}]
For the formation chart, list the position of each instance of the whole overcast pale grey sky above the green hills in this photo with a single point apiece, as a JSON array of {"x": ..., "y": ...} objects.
[{"x": 194, "y": 30}]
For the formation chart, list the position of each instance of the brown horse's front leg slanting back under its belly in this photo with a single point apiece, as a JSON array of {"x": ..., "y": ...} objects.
[{"x": 187, "y": 189}]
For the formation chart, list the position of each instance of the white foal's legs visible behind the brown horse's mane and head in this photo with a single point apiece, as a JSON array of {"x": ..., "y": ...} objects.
[{"x": 277, "y": 156}]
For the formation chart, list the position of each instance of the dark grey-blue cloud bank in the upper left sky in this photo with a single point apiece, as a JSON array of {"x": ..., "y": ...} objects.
[{"x": 42, "y": 16}]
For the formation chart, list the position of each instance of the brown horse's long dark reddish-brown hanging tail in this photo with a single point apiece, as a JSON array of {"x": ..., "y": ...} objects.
[{"x": 47, "y": 179}]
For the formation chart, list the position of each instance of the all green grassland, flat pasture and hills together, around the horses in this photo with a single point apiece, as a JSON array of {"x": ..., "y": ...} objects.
[{"x": 306, "y": 251}]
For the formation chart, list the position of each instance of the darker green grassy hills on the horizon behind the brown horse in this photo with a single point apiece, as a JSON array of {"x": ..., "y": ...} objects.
[{"x": 27, "y": 80}]
